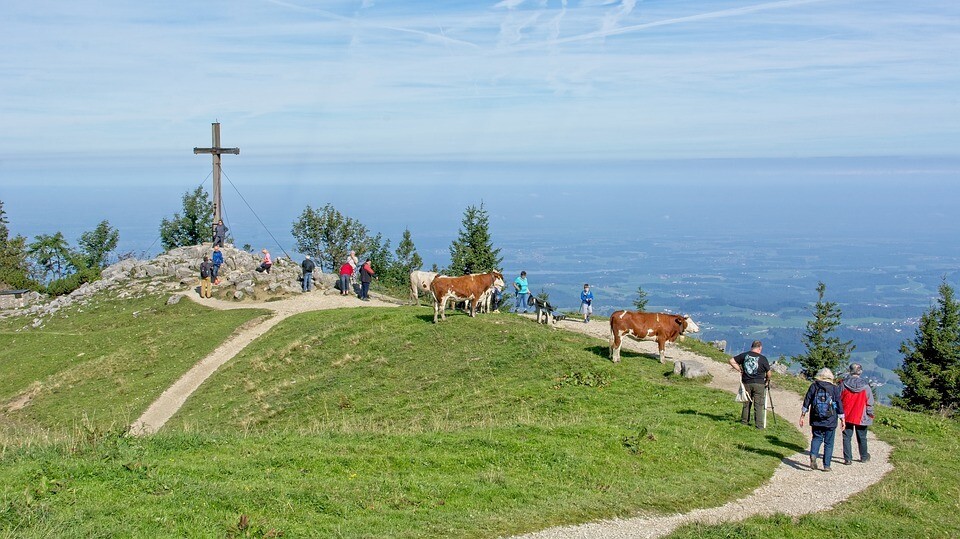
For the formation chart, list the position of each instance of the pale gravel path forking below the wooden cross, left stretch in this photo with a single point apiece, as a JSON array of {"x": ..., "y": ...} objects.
[{"x": 162, "y": 409}]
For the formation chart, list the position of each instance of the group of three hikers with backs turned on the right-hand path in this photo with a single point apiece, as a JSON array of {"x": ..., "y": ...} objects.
[{"x": 847, "y": 404}]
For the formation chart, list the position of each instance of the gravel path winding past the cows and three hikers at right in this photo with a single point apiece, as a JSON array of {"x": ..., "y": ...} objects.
[{"x": 793, "y": 490}]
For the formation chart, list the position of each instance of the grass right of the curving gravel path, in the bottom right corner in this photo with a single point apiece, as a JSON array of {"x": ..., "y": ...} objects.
[{"x": 919, "y": 498}]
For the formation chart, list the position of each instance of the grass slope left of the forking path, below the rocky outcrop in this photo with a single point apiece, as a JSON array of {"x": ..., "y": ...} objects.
[{"x": 102, "y": 364}]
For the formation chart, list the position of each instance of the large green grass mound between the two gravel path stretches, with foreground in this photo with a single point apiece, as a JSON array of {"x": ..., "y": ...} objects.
[{"x": 376, "y": 422}]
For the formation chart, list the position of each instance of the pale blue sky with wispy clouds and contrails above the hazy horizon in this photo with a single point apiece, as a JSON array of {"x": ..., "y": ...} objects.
[{"x": 516, "y": 79}]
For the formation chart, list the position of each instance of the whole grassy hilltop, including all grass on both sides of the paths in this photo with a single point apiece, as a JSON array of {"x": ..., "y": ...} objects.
[{"x": 377, "y": 423}]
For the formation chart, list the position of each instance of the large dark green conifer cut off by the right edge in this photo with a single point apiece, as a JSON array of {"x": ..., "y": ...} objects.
[{"x": 931, "y": 362}]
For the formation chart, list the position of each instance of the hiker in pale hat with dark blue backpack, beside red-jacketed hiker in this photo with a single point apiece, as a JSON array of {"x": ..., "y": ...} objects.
[{"x": 823, "y": 402}]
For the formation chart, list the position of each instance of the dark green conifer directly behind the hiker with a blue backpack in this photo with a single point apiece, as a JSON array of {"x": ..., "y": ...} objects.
[{"x": 823, "y": 350}]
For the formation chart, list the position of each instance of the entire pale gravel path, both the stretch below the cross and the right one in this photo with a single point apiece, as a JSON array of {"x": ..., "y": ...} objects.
[{"x": 793, "y": 490}]
